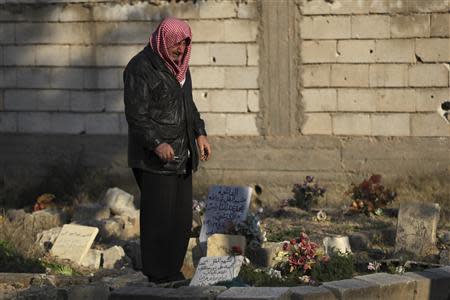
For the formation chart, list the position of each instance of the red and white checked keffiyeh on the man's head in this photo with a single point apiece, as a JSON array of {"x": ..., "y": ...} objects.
[{"x": 170, "y": 32}]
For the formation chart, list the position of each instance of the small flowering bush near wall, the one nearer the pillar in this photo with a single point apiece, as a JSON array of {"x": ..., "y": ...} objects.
[{"x": 306, "y": 195}]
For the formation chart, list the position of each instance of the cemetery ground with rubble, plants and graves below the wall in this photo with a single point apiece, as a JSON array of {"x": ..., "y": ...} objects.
[{"x": 31, "y": 268}]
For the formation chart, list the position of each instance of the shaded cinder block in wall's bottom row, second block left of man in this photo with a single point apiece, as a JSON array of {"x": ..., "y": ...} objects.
[{"x": 68, "y": 123}]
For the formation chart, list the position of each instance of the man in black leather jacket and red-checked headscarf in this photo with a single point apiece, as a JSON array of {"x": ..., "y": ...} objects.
[{"x": 164, "y": 132}]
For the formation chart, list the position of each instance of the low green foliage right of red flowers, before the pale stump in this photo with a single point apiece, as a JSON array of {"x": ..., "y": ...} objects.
[{"x": 339, "y": 266}]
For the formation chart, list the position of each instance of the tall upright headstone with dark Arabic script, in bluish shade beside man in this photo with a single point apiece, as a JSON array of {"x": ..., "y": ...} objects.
[{"x": 225, "y": 204}]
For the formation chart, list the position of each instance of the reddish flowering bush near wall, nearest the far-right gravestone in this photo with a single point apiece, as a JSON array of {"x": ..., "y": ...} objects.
[{"x": 370, "y": 196}]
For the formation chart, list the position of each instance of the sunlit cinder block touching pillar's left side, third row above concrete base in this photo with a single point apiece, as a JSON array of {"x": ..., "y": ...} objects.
[{"x": 241, "y": 77}]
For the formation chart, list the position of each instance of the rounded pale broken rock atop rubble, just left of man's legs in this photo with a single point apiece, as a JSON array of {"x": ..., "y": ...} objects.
[{"x": 119, "y": 202}]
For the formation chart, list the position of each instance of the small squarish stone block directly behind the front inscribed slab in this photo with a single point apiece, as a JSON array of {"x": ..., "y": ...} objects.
[{"x": 222, "y": 244}]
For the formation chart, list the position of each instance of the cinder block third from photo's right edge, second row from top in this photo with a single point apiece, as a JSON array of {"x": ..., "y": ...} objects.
[{"x": 374, "y": 26}]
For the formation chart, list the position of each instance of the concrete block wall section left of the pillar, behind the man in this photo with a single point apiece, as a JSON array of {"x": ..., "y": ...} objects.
[{"x": 62, "y": 61}]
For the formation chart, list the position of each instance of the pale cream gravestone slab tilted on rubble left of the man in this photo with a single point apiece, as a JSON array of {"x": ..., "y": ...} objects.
[{"x": 73, "y": 242}]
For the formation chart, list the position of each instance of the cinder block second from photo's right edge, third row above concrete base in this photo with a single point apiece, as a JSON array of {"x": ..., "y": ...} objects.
[{"x": 388, "y": 75}]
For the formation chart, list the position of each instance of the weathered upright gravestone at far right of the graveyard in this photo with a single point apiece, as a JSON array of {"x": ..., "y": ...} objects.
[{"x": 416, "y": 228}]
